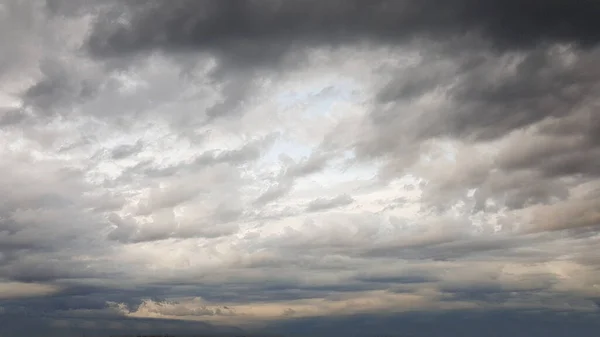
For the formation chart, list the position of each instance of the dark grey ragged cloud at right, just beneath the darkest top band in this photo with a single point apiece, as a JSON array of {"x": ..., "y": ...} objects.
[{"x": 541, "y": 85}]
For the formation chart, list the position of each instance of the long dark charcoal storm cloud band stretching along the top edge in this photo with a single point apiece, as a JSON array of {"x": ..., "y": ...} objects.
[{"x": 243, "y": 29}]
